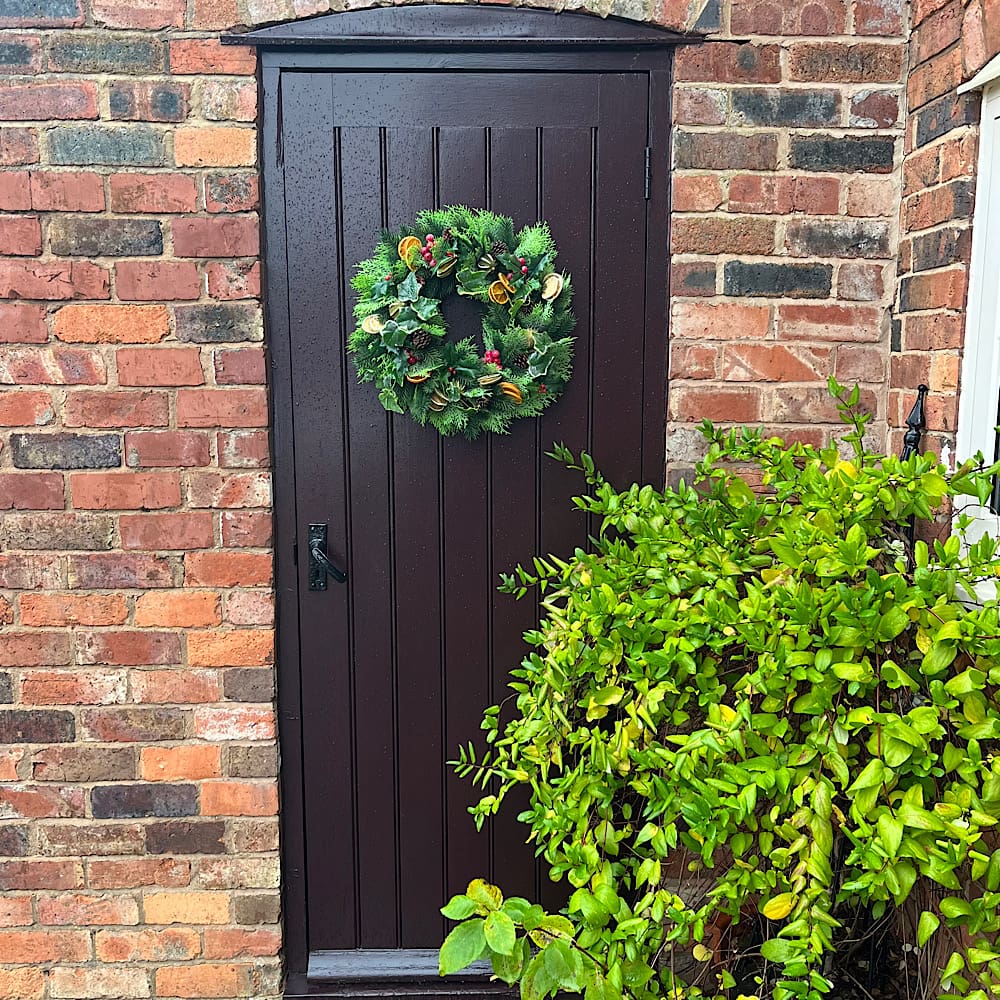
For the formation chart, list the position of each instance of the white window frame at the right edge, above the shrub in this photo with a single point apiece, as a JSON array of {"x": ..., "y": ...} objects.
[{"x": 980, "y": 379}]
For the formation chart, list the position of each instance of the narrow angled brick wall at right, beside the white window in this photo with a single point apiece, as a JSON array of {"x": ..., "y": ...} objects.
[{"x": 949, "y": 43}]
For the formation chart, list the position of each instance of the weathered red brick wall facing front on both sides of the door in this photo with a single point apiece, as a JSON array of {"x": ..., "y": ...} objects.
[{"x": 138, "y": 792}]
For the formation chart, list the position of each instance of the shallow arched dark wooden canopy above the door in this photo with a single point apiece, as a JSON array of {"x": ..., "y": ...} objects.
[{"x": 465, "y": 27}]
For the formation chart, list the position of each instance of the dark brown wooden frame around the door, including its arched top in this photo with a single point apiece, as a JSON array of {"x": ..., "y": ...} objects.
[{"x": 441, "y": 38}]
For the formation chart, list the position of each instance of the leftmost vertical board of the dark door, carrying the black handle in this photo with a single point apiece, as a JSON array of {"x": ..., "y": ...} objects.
[{"x": 315, "y": 297}]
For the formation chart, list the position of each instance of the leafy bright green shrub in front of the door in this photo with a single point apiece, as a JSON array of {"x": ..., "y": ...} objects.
[{"x": 771, "y": 690}]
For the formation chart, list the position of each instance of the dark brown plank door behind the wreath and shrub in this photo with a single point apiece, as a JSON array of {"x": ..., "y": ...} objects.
[{"x": 384, "y": 677}]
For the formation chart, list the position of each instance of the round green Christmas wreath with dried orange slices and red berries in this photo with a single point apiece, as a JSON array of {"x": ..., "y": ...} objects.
[{"x": 401, "y": 341}]
